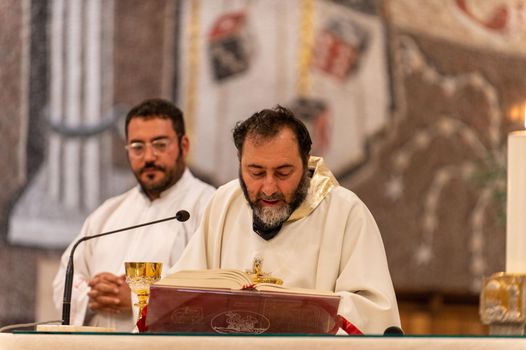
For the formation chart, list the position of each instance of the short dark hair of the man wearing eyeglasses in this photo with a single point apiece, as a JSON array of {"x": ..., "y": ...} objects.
[{"x": 158, "y": 108}]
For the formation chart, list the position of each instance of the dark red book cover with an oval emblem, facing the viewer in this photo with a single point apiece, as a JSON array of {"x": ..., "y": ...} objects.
[{"x": 188, "y": 310}]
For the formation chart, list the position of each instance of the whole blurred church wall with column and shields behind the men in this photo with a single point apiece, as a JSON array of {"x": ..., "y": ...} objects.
[{"x": 409, "y": 102}]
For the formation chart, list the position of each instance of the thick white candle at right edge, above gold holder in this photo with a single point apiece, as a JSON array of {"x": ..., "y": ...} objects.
[{"x": 516, "y": 211}]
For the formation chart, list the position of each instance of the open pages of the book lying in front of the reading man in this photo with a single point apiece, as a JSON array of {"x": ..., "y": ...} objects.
[{"x": 229, "y": 279}]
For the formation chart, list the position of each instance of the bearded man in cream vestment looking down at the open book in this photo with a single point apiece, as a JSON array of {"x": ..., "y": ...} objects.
[{"x": 288, "y": 210}]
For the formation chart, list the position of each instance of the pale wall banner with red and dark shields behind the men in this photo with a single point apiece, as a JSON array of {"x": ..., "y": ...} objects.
[{"x": 269, "y": 52}]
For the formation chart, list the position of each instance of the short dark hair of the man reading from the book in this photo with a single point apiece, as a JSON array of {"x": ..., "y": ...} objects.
[{"x": 267, "y": 124}]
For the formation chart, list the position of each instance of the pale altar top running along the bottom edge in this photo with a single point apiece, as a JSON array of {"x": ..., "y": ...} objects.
[{"x": 111, "y": 341}]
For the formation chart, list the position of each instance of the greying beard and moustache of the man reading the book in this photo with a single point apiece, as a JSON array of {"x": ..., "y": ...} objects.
[{"x": 271, "y": 218}]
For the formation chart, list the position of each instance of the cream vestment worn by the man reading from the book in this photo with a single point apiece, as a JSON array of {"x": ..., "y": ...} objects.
[{"x": 331, "y": 242}]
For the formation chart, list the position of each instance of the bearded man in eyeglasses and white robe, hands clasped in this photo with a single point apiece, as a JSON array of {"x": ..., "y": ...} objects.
[{"x": 156, "y": 146}]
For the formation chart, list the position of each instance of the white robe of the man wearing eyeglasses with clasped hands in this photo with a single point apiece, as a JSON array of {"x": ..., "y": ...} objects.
[{"x": 162, "y": 242}]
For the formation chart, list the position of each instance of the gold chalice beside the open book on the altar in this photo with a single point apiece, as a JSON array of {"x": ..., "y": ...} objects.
[{"x": 139, "y": 276}]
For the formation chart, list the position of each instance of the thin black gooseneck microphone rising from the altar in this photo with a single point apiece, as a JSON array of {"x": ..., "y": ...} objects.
[{"x": 181, "y": 215}]
